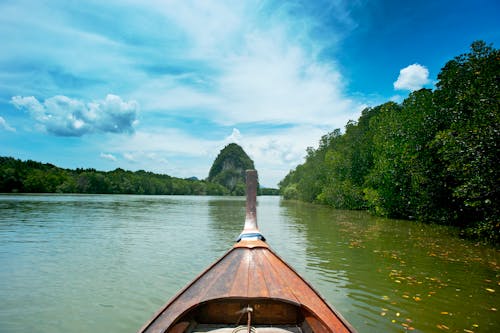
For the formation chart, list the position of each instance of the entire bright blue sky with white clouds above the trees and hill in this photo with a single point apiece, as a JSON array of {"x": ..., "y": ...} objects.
[{"x": 164, "y": 85}]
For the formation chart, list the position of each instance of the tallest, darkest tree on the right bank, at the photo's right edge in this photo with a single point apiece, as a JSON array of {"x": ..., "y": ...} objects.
[{"x": 468, "y": 93}]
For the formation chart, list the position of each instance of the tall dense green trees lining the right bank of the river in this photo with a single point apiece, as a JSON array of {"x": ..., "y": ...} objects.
[{"x": 435, "y": 157}]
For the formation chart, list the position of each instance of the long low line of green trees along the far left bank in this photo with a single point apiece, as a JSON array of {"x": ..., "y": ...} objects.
[{"x": 35, "y": 177}]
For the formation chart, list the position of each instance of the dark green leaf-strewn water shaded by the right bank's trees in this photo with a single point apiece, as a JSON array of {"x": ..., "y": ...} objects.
[{"x": 398, "y": 275}]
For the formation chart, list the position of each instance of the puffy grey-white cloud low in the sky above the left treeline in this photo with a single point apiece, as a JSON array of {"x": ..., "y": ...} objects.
[{"x": 64, "y": 116}]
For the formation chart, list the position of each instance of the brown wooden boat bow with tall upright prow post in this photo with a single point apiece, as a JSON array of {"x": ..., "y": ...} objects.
[{"x": 249, "y": 289}]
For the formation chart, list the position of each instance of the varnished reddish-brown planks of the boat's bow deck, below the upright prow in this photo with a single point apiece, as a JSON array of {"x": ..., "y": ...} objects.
[{"x": 250, "y": 273}]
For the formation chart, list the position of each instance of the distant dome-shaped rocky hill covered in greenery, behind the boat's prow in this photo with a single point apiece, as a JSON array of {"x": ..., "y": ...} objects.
[{"x": 229, "y": 168}]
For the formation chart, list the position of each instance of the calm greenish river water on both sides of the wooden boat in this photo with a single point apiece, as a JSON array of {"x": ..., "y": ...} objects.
[{"x": 106, "y": 263}]
